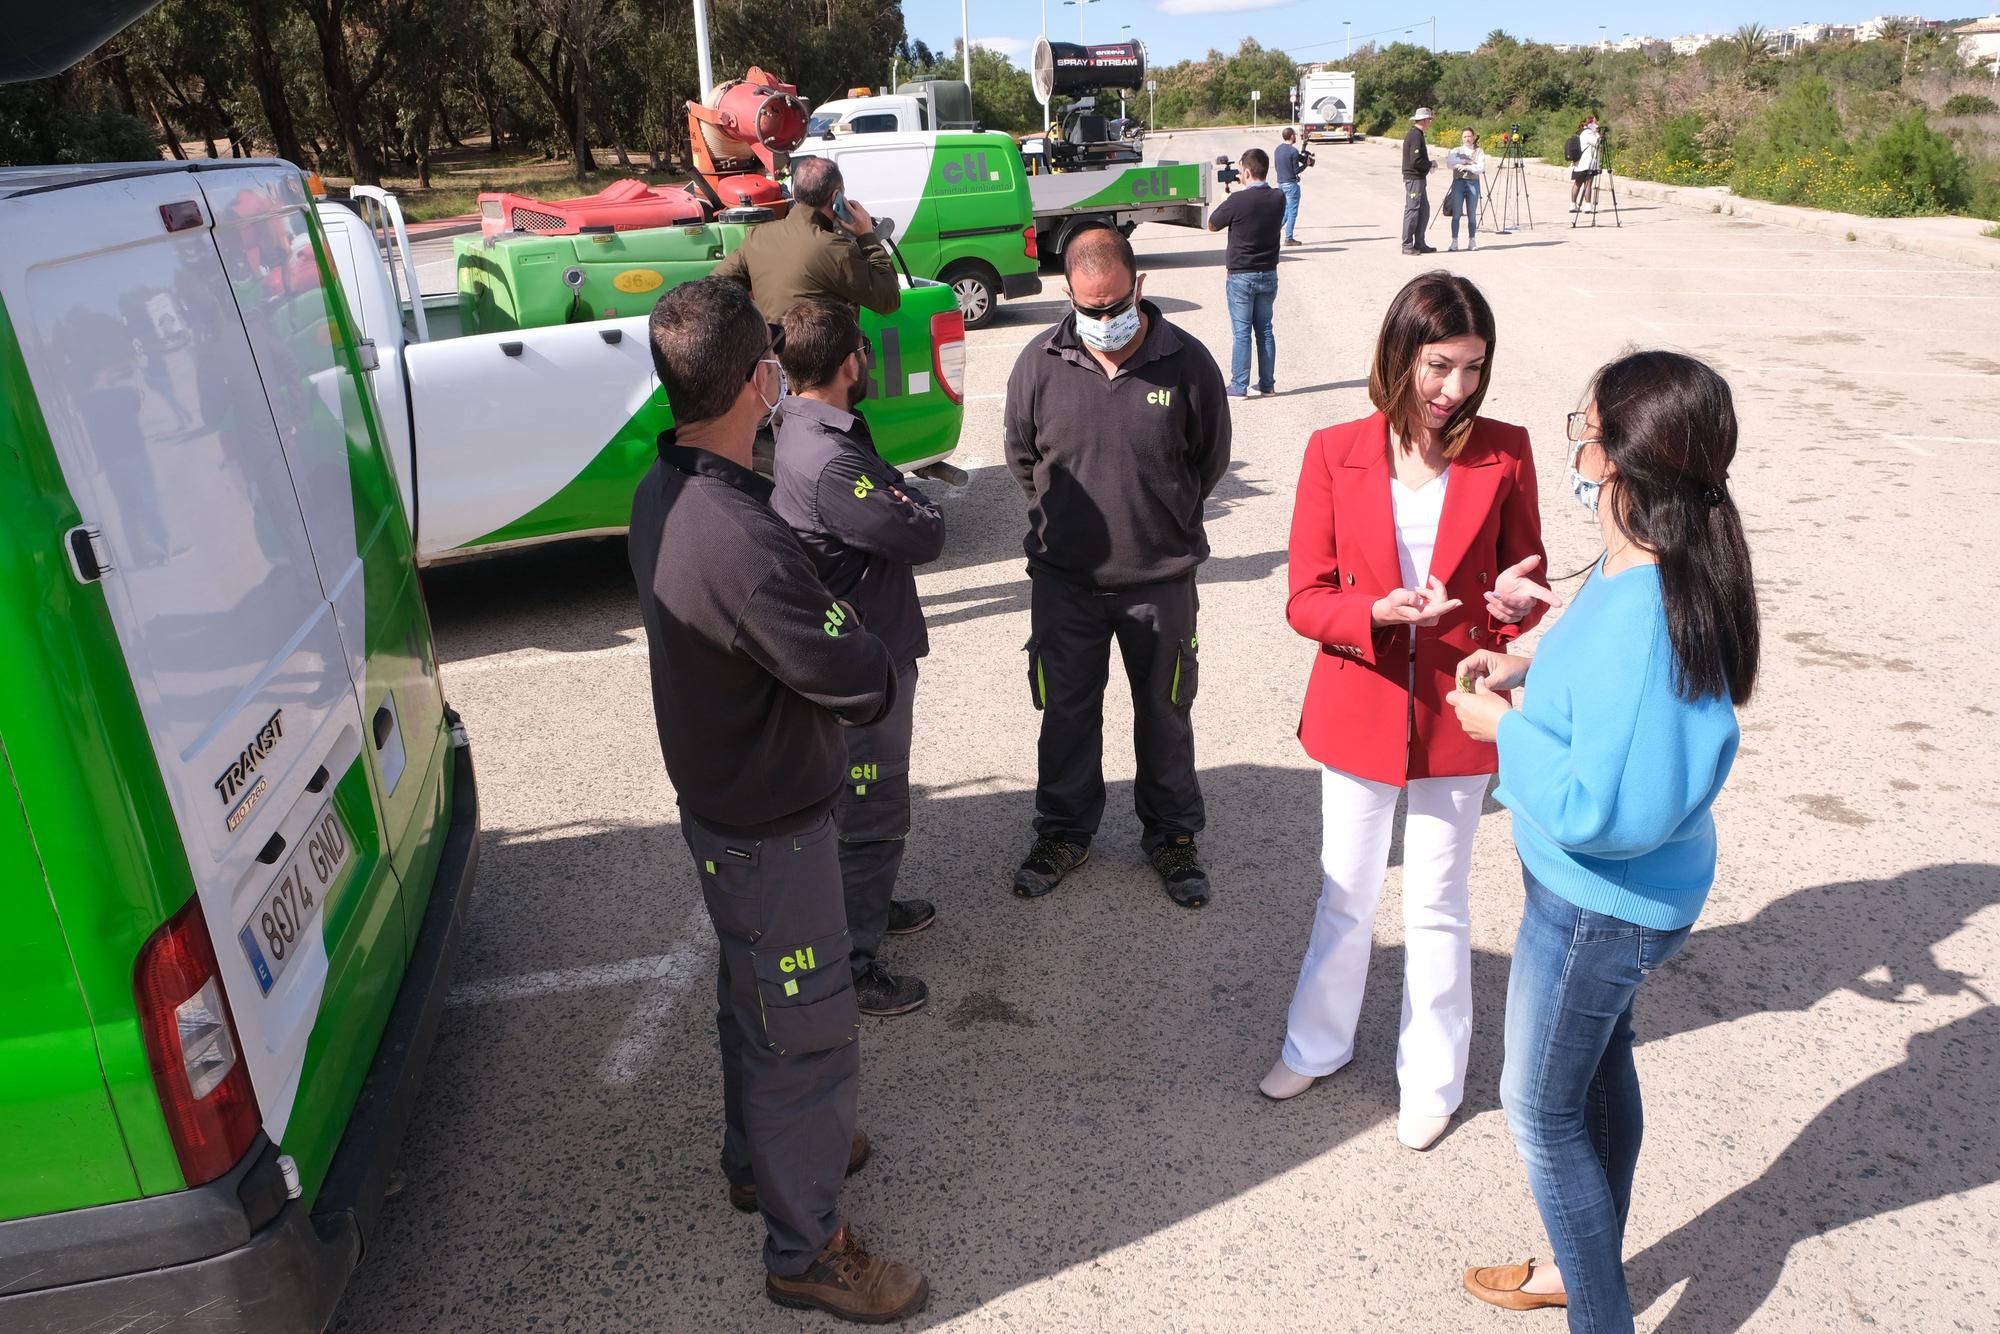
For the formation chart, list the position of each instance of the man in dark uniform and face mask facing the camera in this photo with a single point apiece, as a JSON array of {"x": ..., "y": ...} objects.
[{"x": 1117, "y": 429}]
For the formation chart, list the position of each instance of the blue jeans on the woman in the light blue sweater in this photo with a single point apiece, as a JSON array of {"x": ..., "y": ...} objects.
[{"x": 1571, "y": 1089}]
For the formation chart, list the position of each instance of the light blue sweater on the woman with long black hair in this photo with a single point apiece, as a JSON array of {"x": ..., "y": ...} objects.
[{"x": 1607, "y": 769}]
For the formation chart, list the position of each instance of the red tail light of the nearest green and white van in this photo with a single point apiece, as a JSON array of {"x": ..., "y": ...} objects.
[{"x": 191, "y": 1043}]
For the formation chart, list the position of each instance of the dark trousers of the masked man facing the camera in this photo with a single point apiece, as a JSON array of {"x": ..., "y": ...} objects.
[{"x": 1069, "y": 665}]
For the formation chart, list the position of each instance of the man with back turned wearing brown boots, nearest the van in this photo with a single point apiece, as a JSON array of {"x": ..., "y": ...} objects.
[{"x": 755, "y": 673}]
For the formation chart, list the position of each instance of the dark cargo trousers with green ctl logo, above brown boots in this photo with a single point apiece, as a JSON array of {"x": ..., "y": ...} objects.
[{"x": 789, "y": 1025}]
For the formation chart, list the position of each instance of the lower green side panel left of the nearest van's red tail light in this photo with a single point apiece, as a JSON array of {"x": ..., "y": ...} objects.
[{"x": 49, "y": 1061}]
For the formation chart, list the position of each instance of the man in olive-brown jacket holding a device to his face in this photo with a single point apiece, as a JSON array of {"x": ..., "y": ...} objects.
[{"x": 825, "y": 249}]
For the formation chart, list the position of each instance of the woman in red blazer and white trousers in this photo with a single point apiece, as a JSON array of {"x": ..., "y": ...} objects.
[{"x": 1413, "y": 539}]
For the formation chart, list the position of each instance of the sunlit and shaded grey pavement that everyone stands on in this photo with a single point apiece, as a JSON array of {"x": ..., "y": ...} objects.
[{"x": 1071, "y": 1137}]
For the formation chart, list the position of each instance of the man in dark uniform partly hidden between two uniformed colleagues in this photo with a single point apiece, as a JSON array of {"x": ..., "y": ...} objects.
[{"x": 867, "y": 531}]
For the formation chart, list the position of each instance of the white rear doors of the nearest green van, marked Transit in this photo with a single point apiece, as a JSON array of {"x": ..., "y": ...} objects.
[{"x": 135, "y": 337}]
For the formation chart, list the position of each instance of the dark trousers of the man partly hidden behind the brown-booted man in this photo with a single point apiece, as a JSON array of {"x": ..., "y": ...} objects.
[{"x": 873, "y": 819}]
